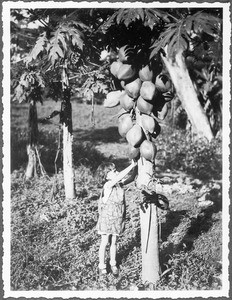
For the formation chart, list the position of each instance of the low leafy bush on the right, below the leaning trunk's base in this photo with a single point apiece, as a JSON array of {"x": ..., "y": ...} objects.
[{"x": 197, "y": 158}]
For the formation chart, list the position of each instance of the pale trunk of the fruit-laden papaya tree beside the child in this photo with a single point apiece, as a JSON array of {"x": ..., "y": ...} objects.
[{"x": 149, "y": 226}]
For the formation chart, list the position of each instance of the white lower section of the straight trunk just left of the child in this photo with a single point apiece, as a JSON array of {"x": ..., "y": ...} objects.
[{"x": 68, "y": 164}]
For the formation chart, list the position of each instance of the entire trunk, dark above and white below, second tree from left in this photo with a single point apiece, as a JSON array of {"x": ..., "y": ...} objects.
[{"x": 66, "y": 121}]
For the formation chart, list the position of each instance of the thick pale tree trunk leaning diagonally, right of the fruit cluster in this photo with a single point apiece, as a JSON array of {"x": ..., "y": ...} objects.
[{"x": 188, "y": 96}]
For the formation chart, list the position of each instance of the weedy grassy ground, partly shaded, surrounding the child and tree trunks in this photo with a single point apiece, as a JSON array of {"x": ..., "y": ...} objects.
[{"x": 54, "y": 243}]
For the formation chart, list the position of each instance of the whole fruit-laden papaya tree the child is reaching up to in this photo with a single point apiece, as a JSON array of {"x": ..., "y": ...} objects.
[{"x": 142, "y": 107}]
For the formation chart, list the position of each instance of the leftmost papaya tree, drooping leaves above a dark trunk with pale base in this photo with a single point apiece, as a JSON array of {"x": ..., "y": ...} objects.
[{"x": 27, "y": 84}]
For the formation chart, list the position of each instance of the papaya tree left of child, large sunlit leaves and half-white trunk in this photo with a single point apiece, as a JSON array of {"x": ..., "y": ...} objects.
[{"x": 59, "y": 43}]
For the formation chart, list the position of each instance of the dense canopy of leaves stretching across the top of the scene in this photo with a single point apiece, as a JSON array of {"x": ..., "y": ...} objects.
[{"x": 78, "y": 37}]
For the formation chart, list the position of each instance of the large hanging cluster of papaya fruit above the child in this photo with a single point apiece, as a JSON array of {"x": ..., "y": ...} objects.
[{"x": 143, "y": 96}]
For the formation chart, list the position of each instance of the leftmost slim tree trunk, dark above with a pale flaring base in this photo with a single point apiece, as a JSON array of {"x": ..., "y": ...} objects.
[{"x": 32, "y": 140}]
